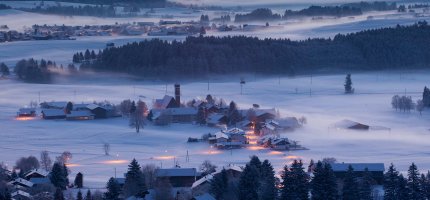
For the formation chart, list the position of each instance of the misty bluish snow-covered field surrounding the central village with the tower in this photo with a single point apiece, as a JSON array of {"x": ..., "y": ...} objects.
[{"x": 406, "y": 142}]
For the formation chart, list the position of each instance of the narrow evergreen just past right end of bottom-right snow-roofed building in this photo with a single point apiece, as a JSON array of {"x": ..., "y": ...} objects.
[{"x": 391, "y": 182}]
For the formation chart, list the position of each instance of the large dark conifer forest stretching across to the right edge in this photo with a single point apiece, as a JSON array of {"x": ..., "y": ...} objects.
[{"x": 385, "y": 48}]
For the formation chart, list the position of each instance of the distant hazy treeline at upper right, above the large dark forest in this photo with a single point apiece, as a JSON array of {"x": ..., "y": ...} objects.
[{"x": 351, "y": 9}]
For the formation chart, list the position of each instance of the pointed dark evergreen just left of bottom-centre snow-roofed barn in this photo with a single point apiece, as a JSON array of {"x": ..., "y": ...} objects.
[{"x": 134, "y": 180}]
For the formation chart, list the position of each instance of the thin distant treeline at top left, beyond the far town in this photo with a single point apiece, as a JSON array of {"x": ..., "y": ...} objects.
[{"x": 87, "y": 10}]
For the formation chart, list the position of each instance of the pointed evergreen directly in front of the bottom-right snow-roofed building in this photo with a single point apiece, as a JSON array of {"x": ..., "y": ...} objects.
[{"x": 349, "y": 190}]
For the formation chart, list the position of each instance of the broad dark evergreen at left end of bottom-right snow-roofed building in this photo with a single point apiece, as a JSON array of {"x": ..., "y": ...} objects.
[{"x": 323, "y": 184}]
